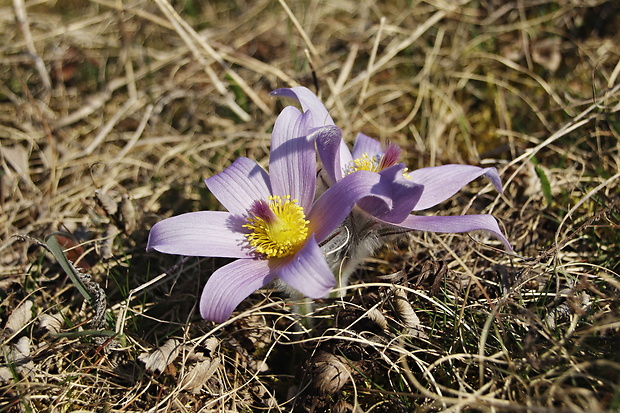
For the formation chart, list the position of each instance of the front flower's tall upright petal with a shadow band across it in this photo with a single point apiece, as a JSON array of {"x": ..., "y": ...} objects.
[{"x": 292, "y": 164}]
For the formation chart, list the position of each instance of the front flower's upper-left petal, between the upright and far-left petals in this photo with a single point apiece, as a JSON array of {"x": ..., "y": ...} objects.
[{"x": 239, "y": 185}]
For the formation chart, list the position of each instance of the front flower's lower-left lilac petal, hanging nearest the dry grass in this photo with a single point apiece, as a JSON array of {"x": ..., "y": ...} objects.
[{"x": 230, "y": 285}]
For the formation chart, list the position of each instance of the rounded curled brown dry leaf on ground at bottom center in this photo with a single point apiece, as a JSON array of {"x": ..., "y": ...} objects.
[{"x": 329, "y": 372}]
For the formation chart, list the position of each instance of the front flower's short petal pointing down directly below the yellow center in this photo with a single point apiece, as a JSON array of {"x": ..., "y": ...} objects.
[{"x": 307, "y": 271}]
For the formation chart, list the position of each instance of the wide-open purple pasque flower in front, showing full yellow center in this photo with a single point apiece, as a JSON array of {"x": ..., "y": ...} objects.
[{"x": 272, "y": 224}]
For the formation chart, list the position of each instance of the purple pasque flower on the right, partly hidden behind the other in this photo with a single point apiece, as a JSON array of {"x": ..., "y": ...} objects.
[{"x": 434, "y": 184}]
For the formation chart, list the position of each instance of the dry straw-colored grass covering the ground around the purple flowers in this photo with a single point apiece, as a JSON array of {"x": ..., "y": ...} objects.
[{"x": 130, "y": 104}]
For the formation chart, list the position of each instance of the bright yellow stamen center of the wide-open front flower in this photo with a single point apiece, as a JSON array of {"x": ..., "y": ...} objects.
[{"x": 278, "y": 227}]
